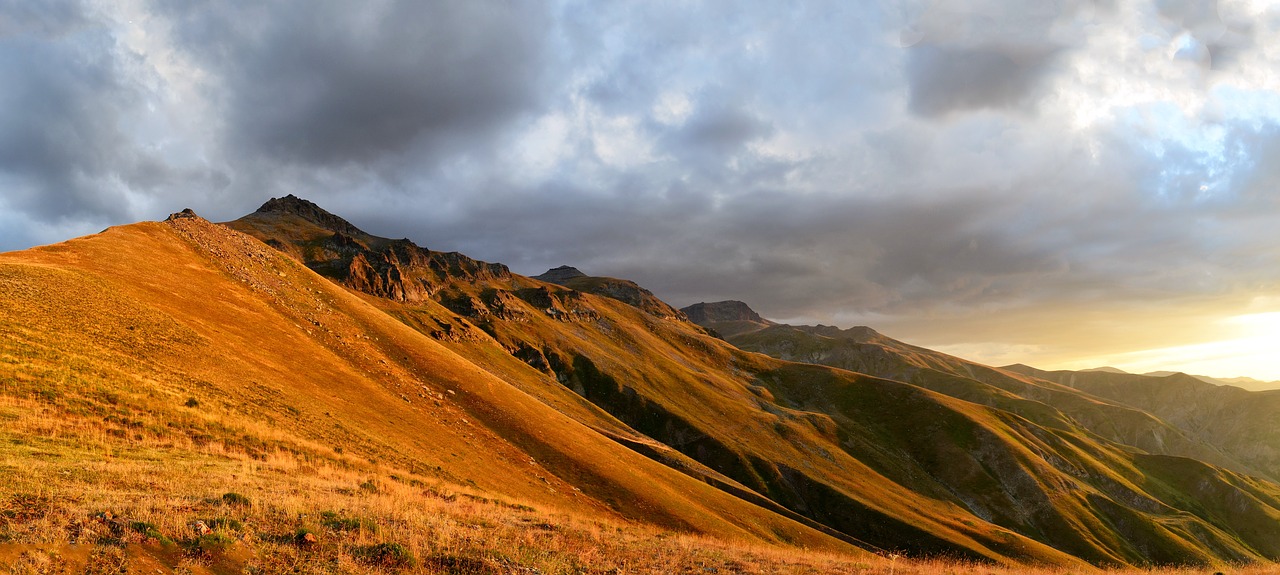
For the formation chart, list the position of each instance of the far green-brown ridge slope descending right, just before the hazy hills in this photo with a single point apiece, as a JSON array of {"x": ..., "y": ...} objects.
[{"x": 1099, "y": 422}]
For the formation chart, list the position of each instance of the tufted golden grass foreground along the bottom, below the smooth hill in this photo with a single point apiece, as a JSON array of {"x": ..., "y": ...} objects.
[{"x": 79, "y": 499}]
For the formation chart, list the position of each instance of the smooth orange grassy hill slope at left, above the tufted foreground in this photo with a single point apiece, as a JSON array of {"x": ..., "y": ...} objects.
[{"x": 134, "y": 323}]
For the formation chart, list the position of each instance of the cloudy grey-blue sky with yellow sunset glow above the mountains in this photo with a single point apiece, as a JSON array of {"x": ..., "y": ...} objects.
[{"x": 1062, "y": 184}]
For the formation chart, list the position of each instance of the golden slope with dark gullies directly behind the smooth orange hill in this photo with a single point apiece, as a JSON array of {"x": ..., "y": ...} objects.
[{"x": 671, "y": 382}]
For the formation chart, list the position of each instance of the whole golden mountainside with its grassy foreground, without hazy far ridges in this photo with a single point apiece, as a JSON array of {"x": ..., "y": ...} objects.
[{"x": 330, "y": 375}]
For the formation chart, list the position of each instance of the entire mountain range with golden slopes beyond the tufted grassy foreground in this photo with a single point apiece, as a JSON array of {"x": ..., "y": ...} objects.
[{"x": 592, "y": 395}]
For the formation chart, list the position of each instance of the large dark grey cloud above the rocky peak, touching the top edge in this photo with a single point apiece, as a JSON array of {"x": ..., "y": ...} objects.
[{"x": 332, "y": 83}]
